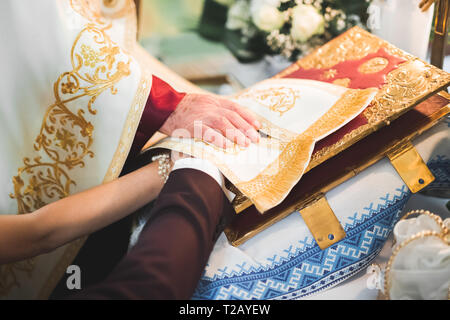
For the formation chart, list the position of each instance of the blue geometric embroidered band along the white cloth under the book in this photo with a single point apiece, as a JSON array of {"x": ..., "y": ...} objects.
[{"x": 306, "y": 269}]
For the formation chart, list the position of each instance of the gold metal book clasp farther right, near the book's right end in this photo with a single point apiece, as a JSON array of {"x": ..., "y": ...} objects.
[{"x": 410, "y": 166}]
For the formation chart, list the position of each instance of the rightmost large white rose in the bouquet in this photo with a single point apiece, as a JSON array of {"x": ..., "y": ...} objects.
[{"x": 306, "y": 22}]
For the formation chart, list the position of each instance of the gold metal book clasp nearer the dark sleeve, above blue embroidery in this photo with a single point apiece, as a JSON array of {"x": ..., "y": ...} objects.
[{"x": 322, "y": 222}]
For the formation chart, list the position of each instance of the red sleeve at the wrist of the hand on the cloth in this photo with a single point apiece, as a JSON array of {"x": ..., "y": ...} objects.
[{"x": 161, "y": 102}]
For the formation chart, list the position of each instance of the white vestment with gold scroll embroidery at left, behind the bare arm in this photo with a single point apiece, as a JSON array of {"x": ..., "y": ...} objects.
[{"x": 71, "y": 96}]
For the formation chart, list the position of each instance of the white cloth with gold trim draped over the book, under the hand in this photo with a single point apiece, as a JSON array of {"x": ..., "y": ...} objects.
[{"x": 294, "y": 114}]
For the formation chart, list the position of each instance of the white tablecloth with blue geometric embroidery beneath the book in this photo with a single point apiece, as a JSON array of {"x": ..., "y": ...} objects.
[{"x": 284, "y": 262}]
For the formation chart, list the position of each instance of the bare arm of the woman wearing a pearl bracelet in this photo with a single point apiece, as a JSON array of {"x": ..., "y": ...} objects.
[{"x": 23, "y": 236}]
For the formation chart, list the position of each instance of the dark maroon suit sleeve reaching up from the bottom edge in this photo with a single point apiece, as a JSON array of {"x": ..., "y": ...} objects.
[{"x": 174, "y": 246}]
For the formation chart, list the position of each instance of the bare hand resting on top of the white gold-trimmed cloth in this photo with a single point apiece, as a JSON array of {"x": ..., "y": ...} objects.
[{"x": 212, "y": 119}]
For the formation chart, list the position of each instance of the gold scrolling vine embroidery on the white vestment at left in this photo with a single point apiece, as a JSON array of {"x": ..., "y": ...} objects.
[{"x": 66, "y": 136}]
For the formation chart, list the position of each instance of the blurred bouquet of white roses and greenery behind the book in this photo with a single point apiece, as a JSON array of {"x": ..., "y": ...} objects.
[{"x": 287, "y": 27}]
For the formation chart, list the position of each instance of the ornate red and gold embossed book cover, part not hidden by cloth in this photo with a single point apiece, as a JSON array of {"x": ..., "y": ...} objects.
[{"x": 359, "y": 60}]
